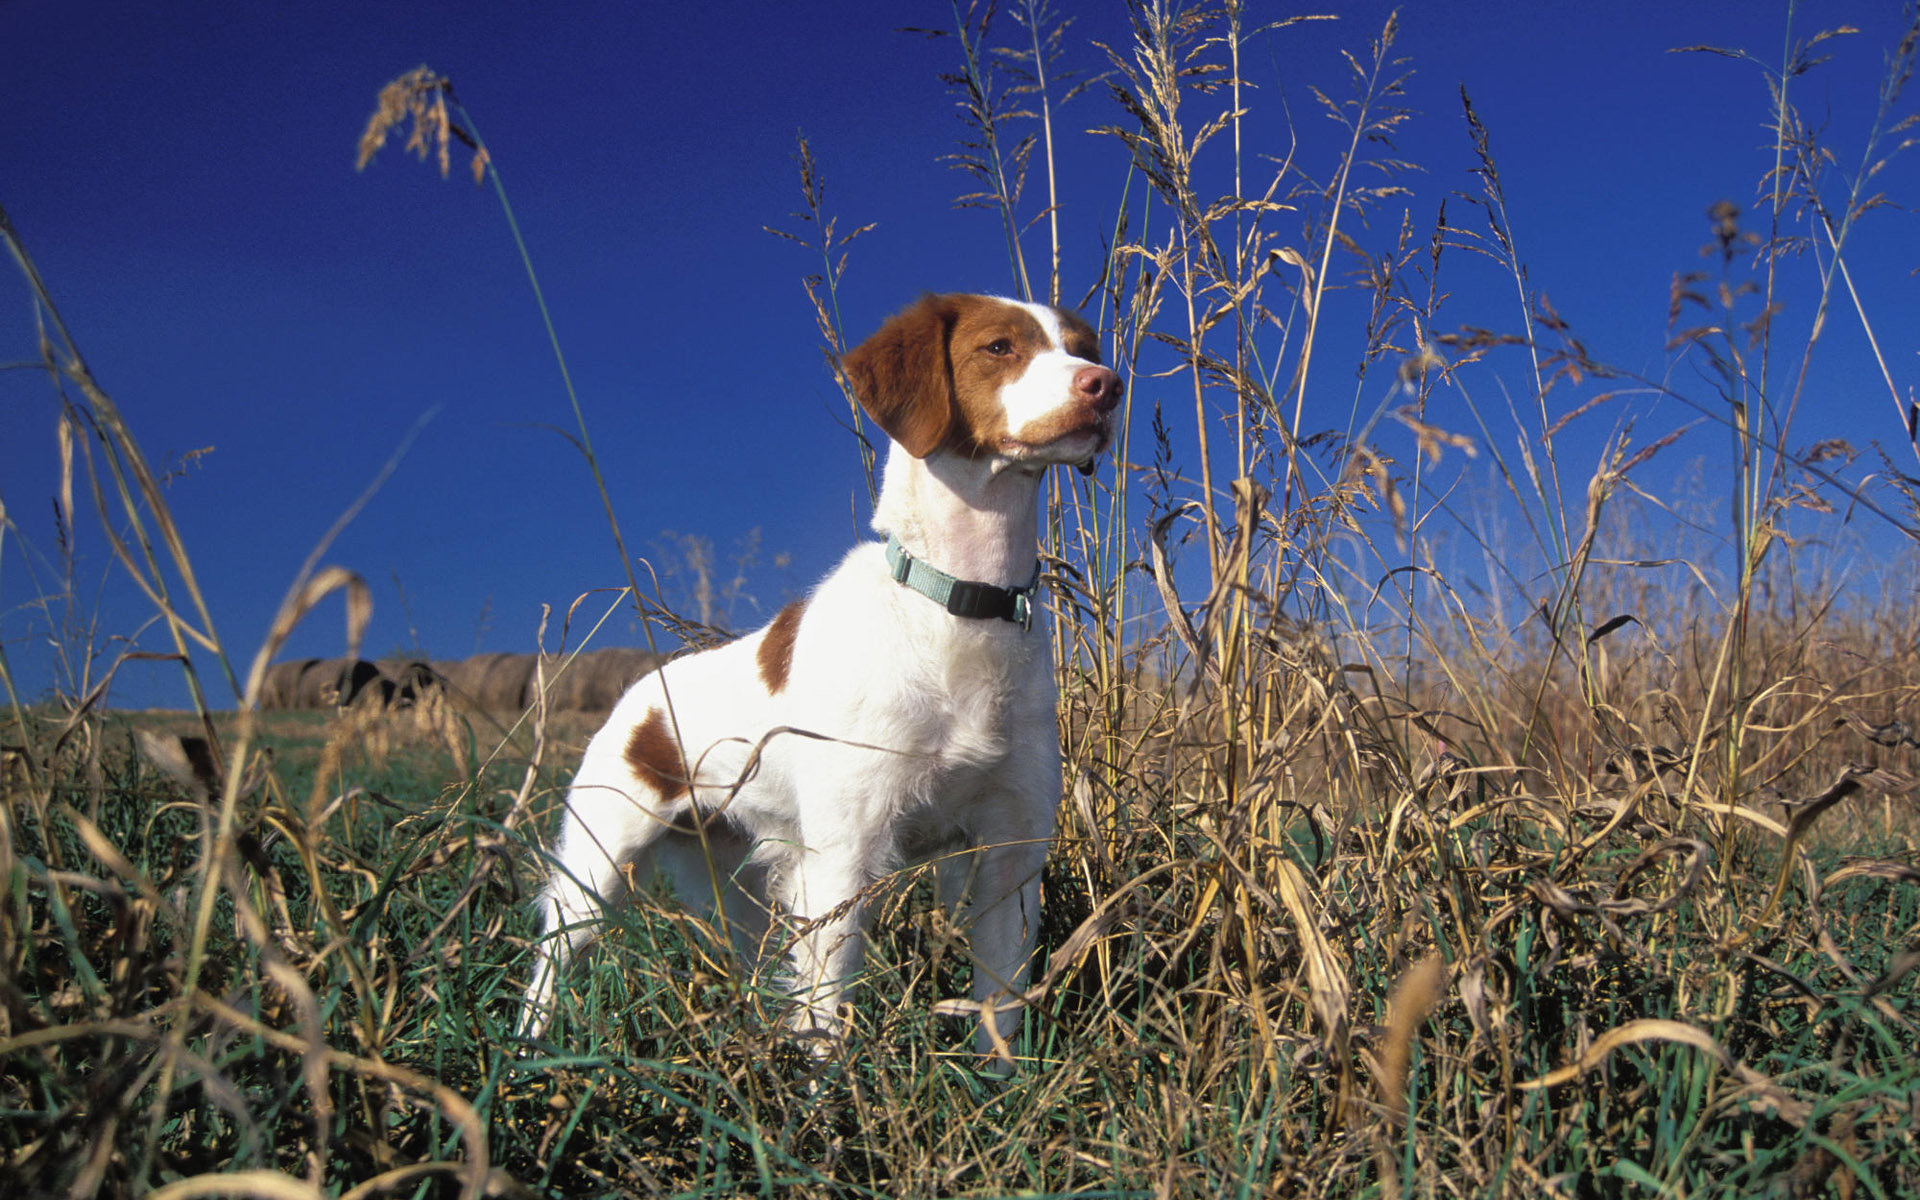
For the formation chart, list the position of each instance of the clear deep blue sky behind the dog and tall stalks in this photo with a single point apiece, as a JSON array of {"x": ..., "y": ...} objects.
[{"x": 185, "y": 181}]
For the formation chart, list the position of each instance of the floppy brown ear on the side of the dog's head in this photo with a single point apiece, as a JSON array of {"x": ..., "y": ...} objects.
[{"x": 903, "y": 375}]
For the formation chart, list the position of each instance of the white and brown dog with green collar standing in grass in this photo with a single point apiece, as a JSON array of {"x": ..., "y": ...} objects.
[{"x": 903, "y": 713}]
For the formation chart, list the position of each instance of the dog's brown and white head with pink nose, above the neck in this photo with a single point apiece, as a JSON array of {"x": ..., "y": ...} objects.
[{"x": 978, "y": 375}]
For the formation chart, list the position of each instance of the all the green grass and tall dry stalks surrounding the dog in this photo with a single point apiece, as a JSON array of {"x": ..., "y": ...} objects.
[{"x": 1591, "y": 875}]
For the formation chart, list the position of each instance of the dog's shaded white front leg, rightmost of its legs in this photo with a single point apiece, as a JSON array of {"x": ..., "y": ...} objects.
[{"x": 1005, "y": 926}]
